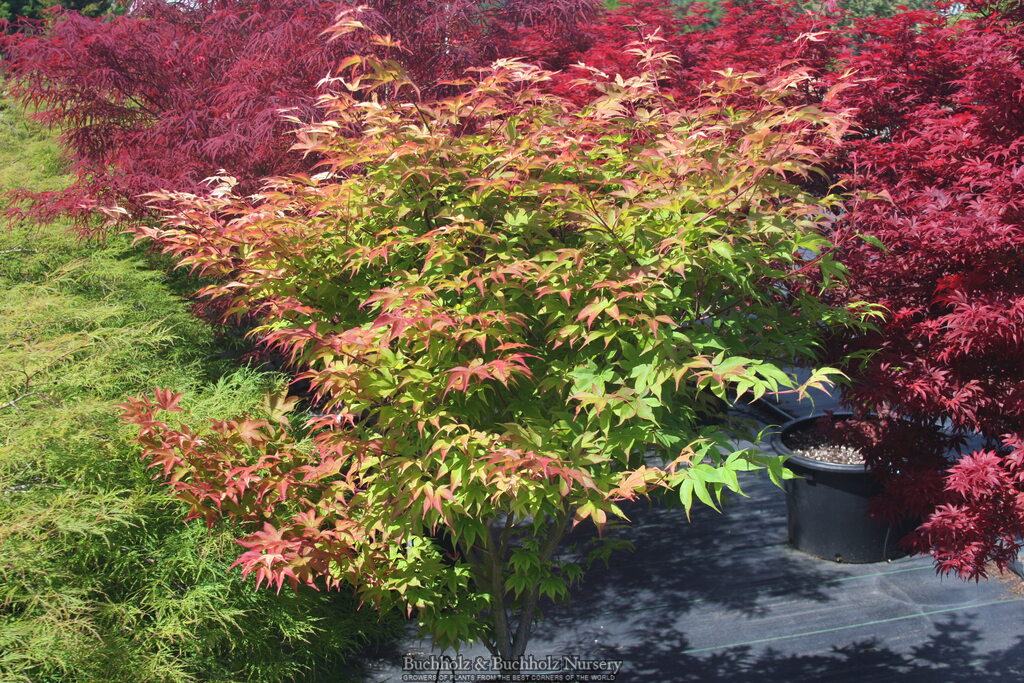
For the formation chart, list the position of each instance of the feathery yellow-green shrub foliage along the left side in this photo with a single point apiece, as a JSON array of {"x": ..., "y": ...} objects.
[{"x": 100, "y": 580}]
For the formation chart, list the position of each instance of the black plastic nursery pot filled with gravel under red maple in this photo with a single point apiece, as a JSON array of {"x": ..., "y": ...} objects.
[{"x": 828, "y": 507}]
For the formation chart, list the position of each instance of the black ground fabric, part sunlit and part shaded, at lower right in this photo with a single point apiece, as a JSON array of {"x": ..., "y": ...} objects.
[{"x": 732, "y": 578}]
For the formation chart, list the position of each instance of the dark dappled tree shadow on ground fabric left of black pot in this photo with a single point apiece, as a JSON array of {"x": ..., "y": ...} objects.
[{"x": 738, "y": 561}]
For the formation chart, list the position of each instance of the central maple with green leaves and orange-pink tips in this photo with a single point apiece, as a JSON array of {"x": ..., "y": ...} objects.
[{"x": 510, "y": 310}]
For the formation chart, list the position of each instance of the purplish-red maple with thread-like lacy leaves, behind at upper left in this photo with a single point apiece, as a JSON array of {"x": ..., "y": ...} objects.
[{"x": 170, "y": 94}]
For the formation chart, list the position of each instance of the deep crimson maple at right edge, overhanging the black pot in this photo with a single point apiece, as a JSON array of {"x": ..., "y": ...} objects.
[{"x": 944, "y": 160}]
